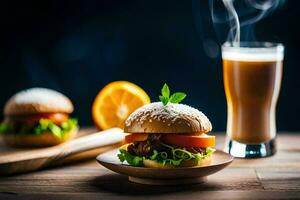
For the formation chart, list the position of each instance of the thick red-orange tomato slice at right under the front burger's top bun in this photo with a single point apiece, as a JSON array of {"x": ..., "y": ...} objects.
[{"x": 202, "y": 140}]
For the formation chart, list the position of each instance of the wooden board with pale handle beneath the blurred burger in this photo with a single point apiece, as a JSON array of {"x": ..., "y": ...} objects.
[{"x": 87, "y": 145}]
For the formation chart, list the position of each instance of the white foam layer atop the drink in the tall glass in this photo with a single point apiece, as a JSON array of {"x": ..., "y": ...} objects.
[{"x": 253, "y": 54}]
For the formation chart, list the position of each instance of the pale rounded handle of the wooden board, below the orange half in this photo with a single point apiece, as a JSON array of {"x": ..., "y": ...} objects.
[{"x": 92, "y": 141}]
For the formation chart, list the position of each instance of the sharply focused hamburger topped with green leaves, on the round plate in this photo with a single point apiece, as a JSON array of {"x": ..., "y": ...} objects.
[{"x": 167, "y": 134}]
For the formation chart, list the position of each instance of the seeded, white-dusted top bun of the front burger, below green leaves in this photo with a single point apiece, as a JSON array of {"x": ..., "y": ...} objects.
[{"x": 170, "y": 118}]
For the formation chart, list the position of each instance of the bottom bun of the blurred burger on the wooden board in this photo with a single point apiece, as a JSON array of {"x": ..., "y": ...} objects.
[{"x": 45, "y": 139}]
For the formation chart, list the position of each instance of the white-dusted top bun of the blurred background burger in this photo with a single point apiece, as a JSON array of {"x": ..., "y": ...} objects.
[{"x": 38, "y": 100}]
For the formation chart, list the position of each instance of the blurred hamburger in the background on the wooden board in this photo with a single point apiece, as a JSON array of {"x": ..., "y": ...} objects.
[{"x": 38, "y": 117}]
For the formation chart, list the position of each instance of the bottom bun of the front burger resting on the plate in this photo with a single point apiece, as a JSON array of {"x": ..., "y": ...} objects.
[{"x": 187, "y": 163}]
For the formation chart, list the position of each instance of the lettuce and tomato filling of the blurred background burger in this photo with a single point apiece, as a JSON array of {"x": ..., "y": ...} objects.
[{"x": 57, "y": 124}]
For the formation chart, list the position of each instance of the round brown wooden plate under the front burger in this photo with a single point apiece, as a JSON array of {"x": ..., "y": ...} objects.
[{"x": 176, "y": 176}]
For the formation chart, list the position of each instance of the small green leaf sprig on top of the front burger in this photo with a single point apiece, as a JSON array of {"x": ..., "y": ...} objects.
[{"x": 165, "y": 97}]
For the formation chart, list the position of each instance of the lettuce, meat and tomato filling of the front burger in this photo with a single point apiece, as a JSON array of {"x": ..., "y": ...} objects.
[{"x": 158, "y": 148}]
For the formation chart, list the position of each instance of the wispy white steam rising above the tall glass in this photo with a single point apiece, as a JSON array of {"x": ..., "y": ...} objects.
[{"x": 241, "y": 14}]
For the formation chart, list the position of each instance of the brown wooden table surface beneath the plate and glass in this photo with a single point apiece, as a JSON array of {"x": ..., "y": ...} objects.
[{"x": 276, "y": 177}]
